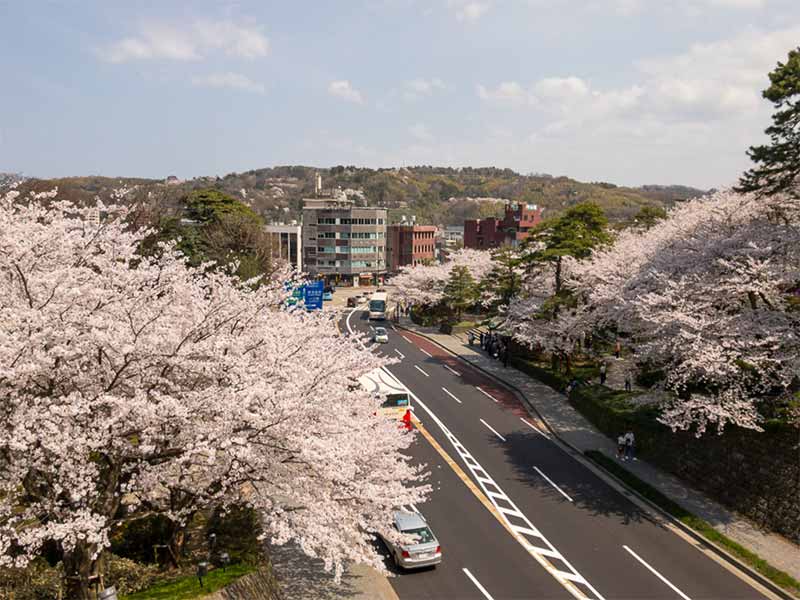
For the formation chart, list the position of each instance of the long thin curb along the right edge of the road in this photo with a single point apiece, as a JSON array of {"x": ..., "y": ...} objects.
[{"x": 722, "y": 553}]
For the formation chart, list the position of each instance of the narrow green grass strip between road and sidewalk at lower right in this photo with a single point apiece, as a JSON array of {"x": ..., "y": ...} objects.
[{"x": 784, "y": 580}]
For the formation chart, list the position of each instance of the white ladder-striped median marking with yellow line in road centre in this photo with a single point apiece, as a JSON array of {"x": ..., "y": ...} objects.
[{"x": 542, "y": 550}]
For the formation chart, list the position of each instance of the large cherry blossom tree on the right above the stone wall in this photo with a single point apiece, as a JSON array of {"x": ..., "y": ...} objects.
[{"x": 705, "y": 296}]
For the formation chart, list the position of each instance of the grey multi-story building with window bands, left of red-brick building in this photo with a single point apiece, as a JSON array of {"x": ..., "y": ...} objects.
[{"x": 344, "y": 243}]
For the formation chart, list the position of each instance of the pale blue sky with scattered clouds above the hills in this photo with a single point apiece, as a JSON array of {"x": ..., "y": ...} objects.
[{"x": 628, "y": 91}]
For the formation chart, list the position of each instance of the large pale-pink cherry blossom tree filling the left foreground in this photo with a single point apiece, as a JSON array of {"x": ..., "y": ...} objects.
[{"x": 135, "y": 384}]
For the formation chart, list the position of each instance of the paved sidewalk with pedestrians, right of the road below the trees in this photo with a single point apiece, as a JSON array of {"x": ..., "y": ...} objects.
[{"x": 574, "y": 429}]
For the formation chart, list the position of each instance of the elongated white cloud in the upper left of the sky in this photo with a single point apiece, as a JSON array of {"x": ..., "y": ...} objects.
[{"x": 189, "y": 42}]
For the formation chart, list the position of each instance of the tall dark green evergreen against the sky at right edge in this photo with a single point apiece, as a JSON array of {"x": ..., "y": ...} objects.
[{"x": 777, "y": 167}]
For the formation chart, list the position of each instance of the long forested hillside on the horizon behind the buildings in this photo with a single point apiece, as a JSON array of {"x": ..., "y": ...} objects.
[{"x": 438, "y": 195}]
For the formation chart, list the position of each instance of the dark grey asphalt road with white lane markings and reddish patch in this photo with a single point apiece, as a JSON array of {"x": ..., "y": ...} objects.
[{"x": 583, "y": 538}]
